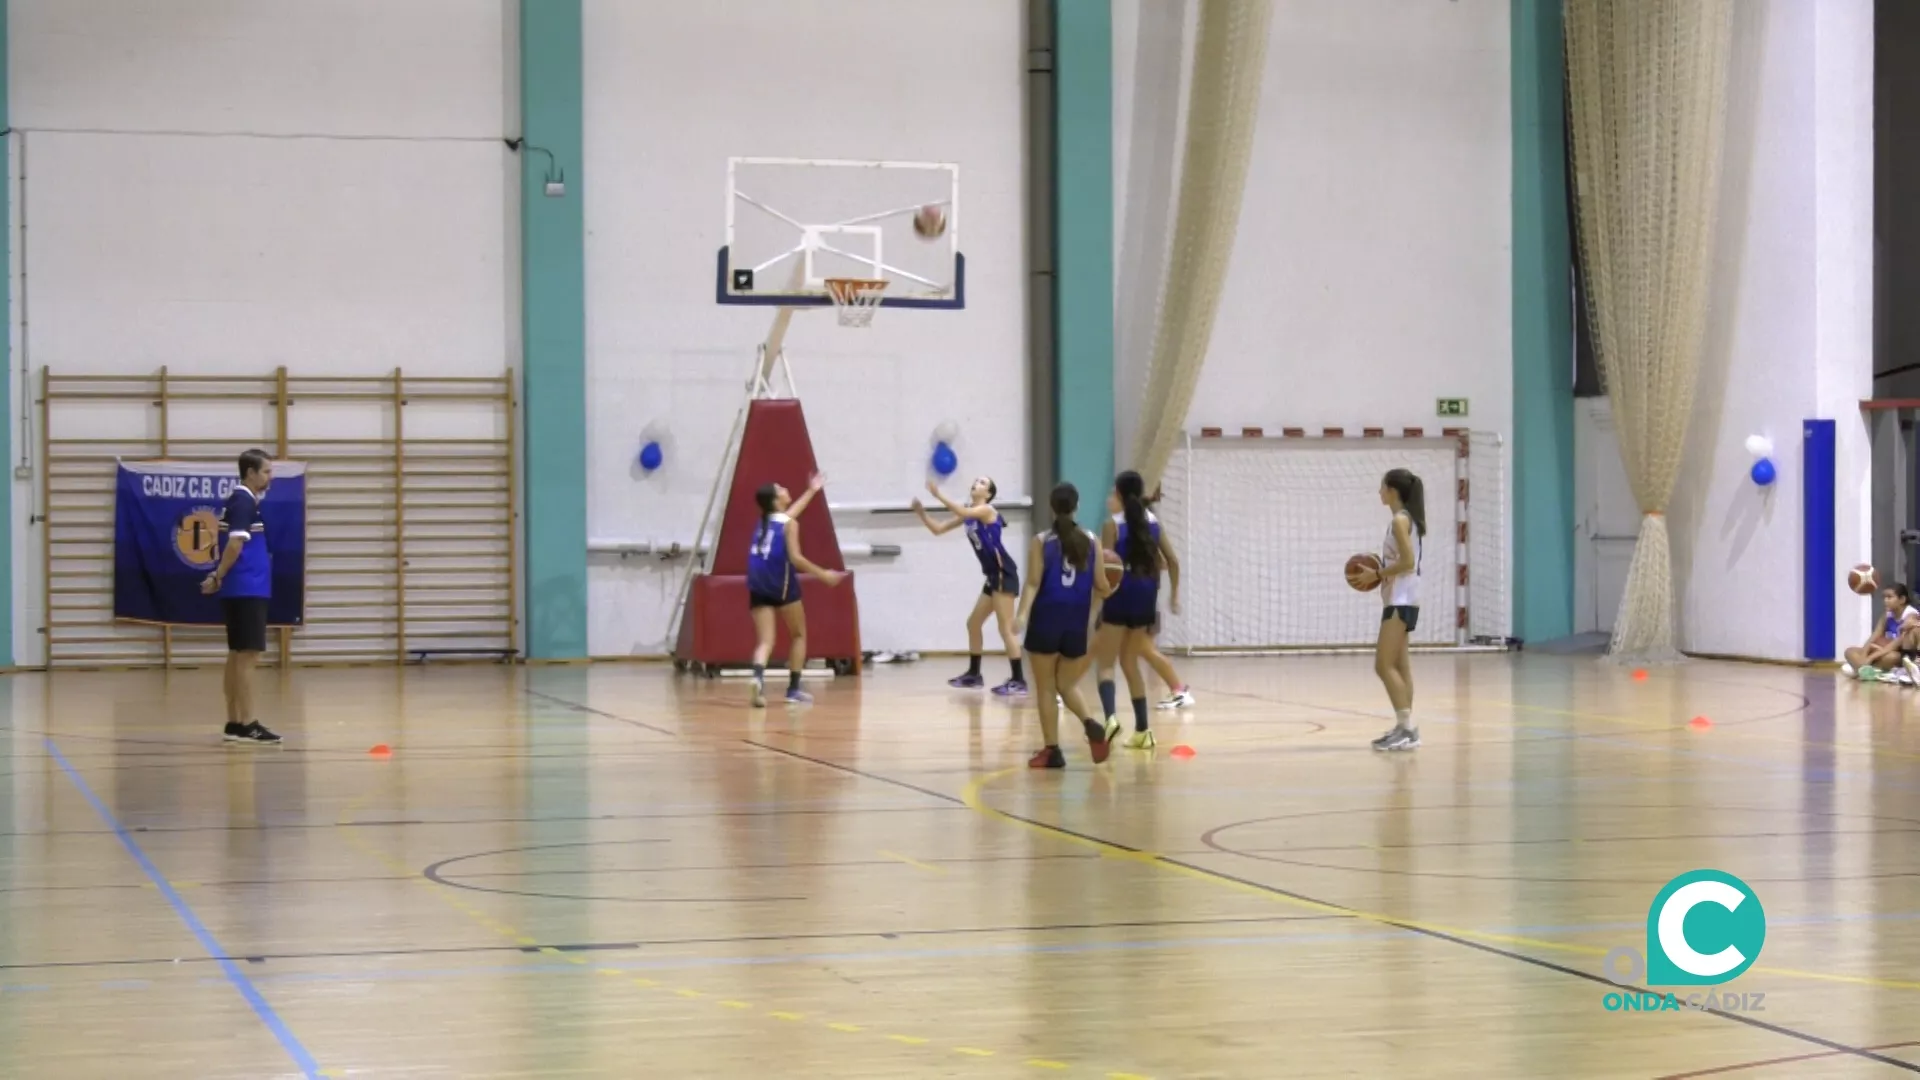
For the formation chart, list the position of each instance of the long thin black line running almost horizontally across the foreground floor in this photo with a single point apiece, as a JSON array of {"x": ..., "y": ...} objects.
[{"x": 665, "y": 943}]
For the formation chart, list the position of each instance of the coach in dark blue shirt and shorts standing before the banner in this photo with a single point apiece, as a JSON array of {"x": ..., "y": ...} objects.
[{"x": 245, "y": 581}]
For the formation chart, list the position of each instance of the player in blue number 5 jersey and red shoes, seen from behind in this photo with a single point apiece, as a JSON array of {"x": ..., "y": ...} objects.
[{"x": 1055, "y": 610}]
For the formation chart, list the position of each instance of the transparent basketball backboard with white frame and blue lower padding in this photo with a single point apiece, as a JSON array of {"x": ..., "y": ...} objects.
[{"x": 792, "y": 224}]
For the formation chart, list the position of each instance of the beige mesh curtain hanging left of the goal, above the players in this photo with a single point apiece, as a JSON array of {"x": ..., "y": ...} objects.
[{"x": 1230, "y": 59}]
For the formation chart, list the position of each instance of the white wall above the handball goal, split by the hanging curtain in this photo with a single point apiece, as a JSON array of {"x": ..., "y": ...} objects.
[{"x": 1372, "y": 272}]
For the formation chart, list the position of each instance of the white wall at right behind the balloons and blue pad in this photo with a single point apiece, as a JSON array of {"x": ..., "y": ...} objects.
[{"x": 1790, "y": 335}]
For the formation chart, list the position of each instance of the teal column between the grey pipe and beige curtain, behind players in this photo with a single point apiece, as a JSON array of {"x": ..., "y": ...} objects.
[{"x": 1084, "y": 249}]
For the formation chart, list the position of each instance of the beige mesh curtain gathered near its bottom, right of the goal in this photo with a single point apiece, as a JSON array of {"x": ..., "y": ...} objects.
[{"x": 1646, "y": 89}]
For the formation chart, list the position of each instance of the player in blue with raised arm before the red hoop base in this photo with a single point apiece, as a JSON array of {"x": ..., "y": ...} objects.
[{"x": 773, "y": 585}]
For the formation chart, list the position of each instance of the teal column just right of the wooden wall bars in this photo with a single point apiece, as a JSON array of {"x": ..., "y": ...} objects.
[{"x": 554, "y": 383}]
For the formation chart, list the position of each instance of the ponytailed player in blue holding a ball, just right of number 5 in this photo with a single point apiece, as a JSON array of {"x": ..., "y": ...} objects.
[{"x": 1132, "y": 614}]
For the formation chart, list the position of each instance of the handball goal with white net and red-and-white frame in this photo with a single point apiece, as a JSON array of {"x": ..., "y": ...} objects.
[{"x": 1264, "y": 529}]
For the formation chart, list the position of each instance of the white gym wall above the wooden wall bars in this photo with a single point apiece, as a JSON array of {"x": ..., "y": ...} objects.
[{"x": 233, "y": 187}]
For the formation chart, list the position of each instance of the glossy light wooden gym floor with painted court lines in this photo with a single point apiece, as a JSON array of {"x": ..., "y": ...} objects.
[{"x": 612, "y": 871}]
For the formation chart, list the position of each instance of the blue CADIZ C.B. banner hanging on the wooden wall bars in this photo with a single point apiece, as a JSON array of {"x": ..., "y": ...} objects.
[{"x": 166, "y": 533}]
